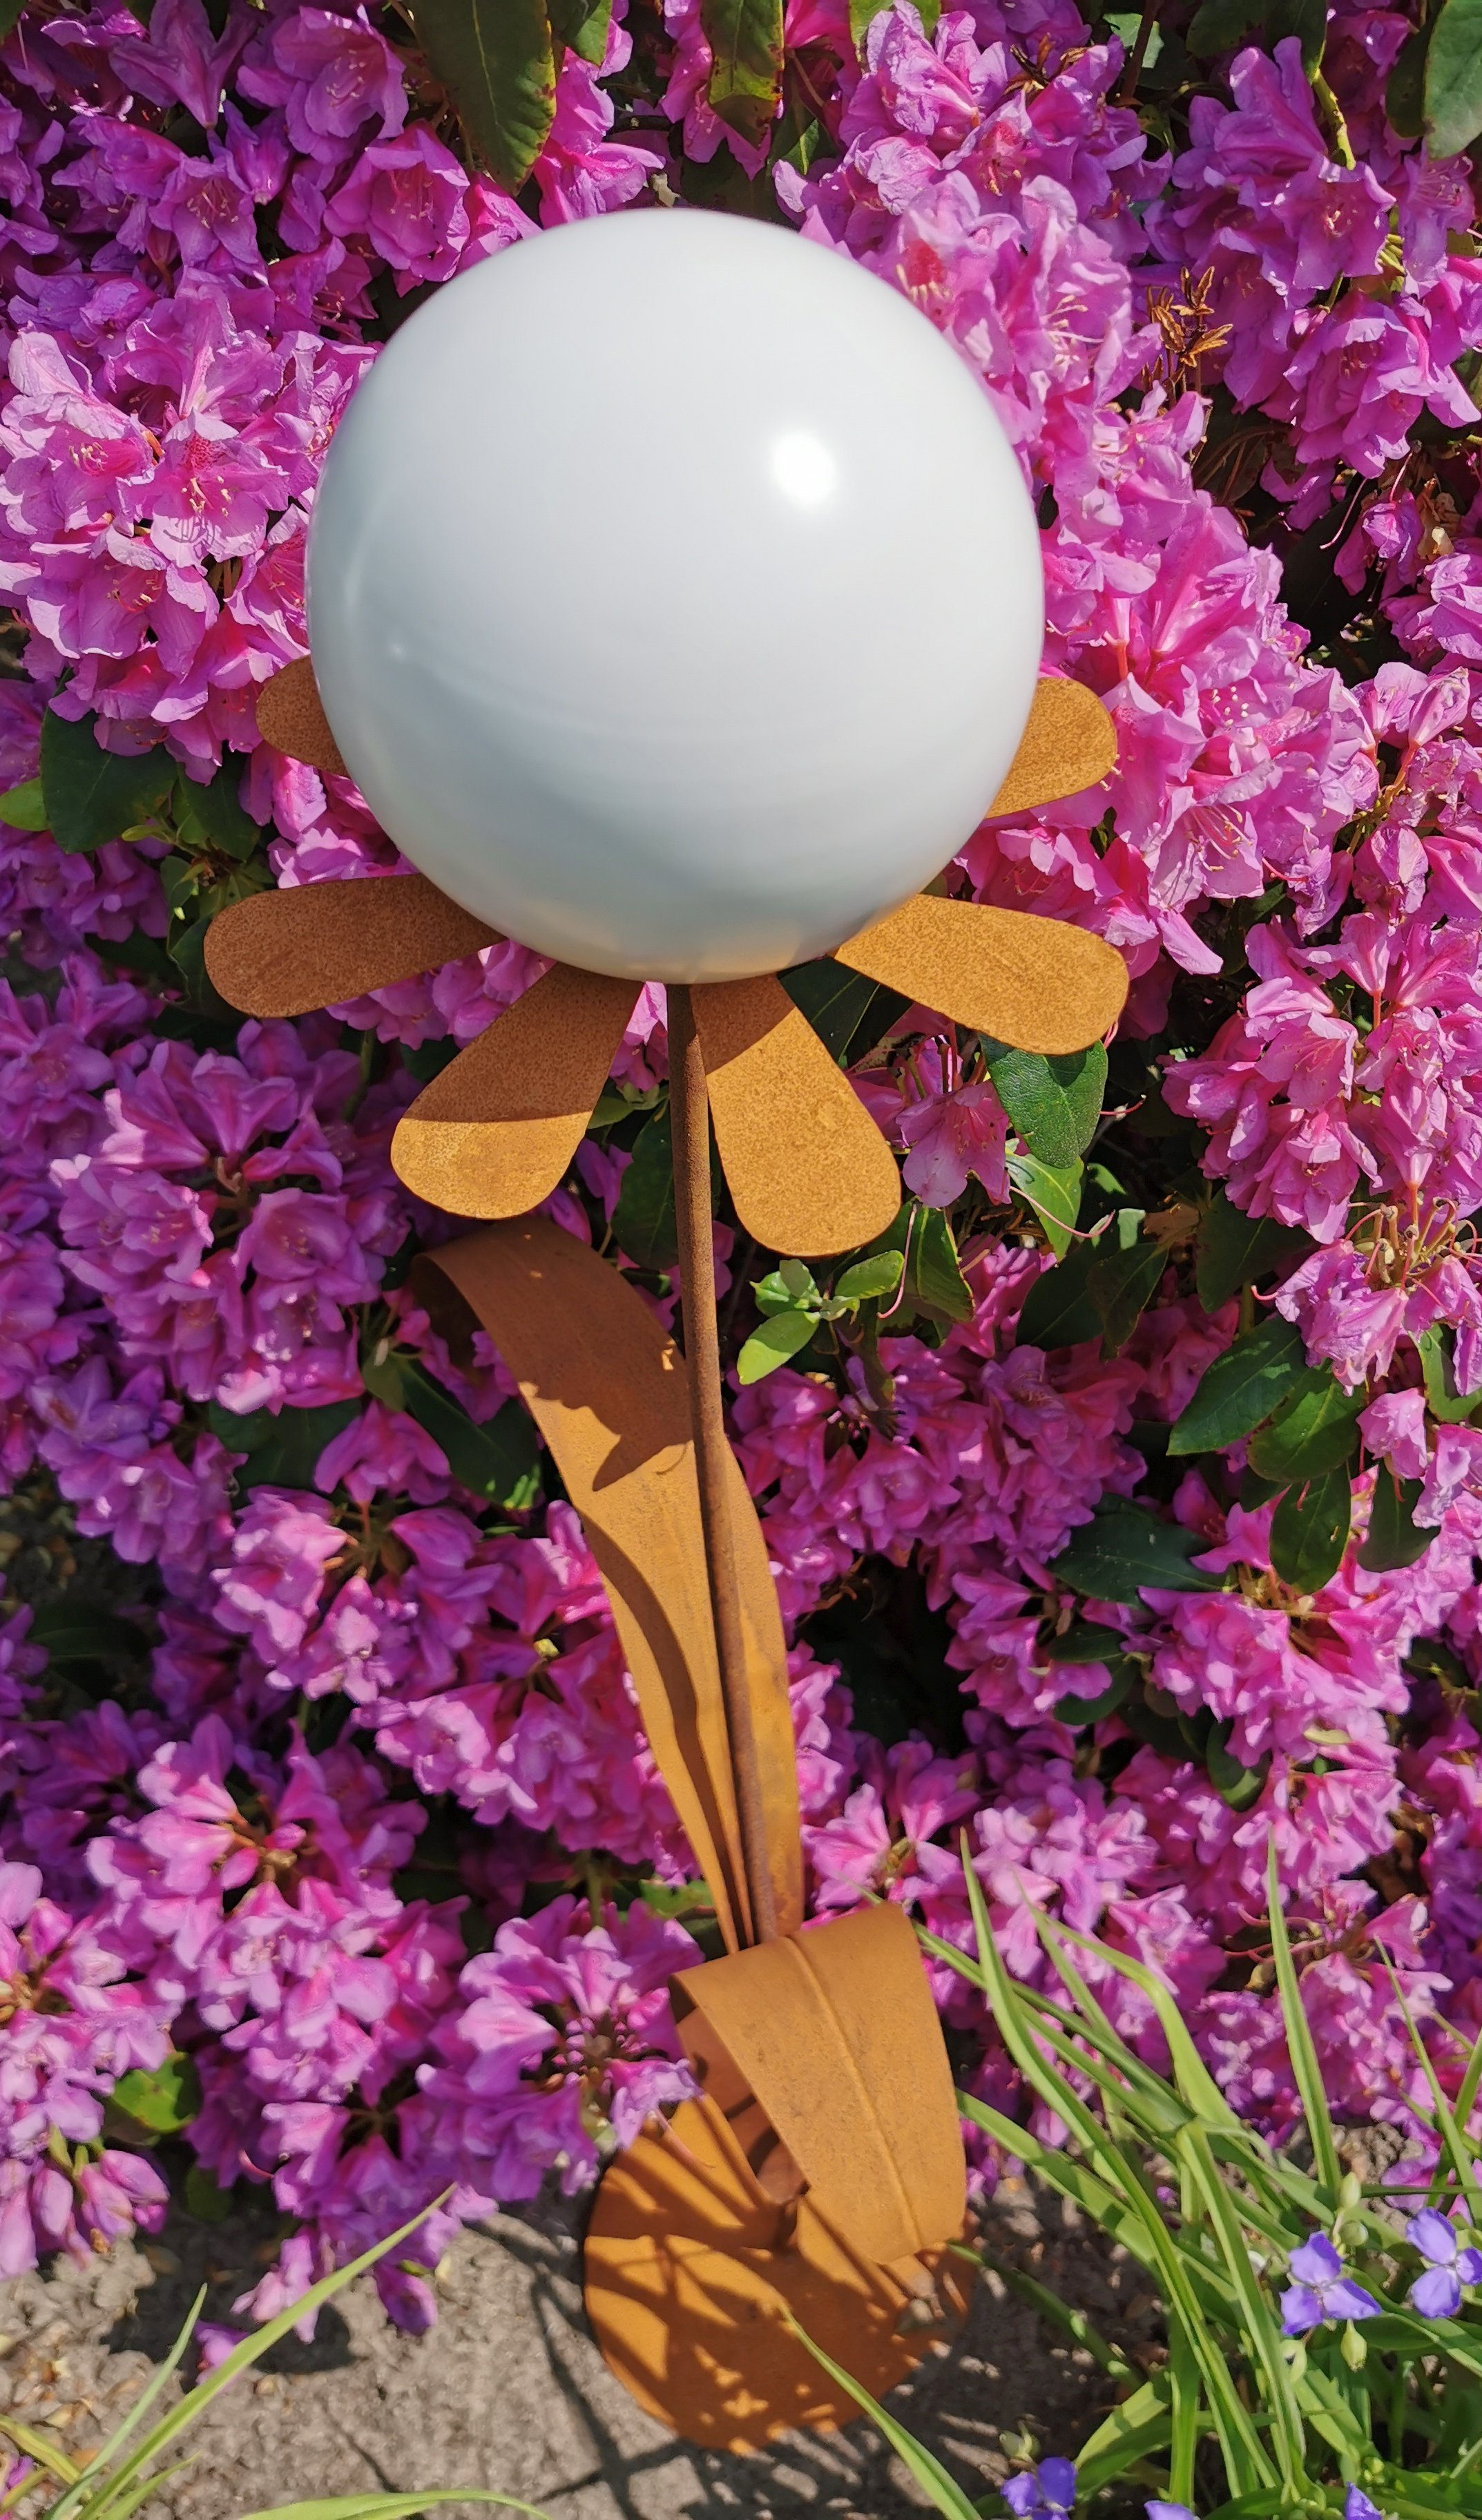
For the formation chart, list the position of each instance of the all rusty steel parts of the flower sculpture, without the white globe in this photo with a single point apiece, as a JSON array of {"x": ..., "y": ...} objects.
[{"x": 825, "y": 2163}]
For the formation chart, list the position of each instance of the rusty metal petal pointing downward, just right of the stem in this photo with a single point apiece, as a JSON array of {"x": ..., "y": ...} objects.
[{"x": 805, "y": 1163}]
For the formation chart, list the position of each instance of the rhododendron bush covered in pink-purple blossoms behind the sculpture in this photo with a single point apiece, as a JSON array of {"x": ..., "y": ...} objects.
[{"x": 1133, "y": 1531}]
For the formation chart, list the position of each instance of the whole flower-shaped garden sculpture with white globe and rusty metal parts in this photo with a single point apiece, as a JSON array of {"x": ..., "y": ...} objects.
[{"x": 823, "y": 2166}]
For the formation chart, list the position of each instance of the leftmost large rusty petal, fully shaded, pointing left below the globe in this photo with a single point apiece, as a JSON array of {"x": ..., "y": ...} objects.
[{"x": 284, "y": 954}]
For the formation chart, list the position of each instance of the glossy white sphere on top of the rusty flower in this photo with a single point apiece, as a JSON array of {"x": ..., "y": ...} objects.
[{"x": 674, "y": 596}]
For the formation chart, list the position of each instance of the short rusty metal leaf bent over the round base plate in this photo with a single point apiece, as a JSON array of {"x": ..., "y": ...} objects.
[{"x": 838, "y": 2037}]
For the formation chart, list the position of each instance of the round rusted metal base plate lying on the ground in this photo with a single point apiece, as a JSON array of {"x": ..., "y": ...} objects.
[{"x": 687, "y": 2289}]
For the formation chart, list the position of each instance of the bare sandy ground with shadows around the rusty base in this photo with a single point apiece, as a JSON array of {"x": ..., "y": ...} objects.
[{"x": 510, "y": 2390}]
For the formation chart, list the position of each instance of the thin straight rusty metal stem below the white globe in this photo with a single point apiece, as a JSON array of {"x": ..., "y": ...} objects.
[{"x": 692, "y": 1201}]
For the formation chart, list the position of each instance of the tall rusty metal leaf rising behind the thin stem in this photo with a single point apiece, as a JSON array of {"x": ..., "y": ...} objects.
[{"x": 609, "y": 1395}]
